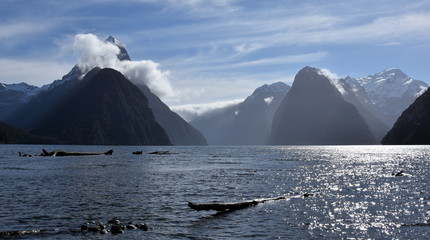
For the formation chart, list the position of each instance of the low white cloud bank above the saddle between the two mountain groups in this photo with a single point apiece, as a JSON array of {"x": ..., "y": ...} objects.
[{"x": 191, "y": 111}]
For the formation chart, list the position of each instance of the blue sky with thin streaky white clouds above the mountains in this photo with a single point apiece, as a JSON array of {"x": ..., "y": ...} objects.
[{"x": 206, "y": 53}]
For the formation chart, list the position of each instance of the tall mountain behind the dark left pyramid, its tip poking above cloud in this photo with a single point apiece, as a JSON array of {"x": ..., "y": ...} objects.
[{"x": 35, "y": 112}]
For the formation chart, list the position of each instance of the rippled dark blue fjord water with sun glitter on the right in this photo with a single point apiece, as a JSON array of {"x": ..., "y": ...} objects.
[{"x": 355, "y": 193}]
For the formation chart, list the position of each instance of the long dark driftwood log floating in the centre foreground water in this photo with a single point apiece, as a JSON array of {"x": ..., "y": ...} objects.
[{"x": 228, "y": 207}]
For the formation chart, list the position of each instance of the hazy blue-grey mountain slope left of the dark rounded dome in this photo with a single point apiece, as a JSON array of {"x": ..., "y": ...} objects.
[{"x": 246, "y": 123}]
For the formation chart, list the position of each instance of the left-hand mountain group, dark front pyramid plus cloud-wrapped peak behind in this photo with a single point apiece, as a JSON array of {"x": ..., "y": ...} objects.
[{"x": 52, "y": 110}]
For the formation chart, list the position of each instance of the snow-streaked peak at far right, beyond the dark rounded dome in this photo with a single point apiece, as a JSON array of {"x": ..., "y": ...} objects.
[{"x": 387, "y": 93}]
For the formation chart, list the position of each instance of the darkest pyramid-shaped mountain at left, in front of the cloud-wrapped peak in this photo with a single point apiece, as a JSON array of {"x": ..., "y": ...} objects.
[{"x": 104, "y": 108}]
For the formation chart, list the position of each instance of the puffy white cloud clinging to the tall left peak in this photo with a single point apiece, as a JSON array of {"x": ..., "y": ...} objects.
[{"x": 96, "y": 53}]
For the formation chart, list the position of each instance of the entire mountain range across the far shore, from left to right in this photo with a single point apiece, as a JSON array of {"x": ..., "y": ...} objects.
[{"x": 317, "y": 109}]
